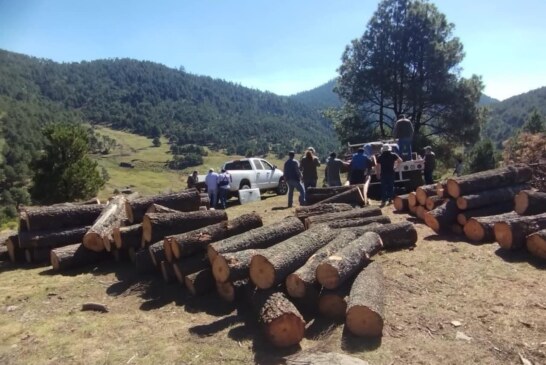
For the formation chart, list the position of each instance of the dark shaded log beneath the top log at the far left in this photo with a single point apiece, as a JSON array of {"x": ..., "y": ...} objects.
[{"x": 53, "y": 238}]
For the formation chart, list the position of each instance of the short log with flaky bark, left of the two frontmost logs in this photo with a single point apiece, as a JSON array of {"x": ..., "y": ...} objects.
[{"x": 283, "y": 324}]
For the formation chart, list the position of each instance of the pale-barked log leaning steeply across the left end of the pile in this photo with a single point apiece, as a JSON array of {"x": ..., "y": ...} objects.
[{"x": 99, "y": 235}]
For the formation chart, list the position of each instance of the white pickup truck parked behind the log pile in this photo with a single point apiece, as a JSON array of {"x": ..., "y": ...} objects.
[{"x": 255, "y": 173}]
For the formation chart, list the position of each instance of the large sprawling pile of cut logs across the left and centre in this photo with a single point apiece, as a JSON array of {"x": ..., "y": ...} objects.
[{"x": 316, "y": 263}]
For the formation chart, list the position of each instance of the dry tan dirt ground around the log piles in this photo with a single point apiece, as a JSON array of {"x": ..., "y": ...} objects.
[{"x": 448, "y": 302}]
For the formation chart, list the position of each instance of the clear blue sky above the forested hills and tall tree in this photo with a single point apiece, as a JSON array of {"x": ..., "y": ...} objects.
[{"x": 276, "y": 45}]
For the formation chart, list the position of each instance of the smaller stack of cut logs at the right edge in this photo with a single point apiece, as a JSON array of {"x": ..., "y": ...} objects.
[{"x": 493, "y": 205}]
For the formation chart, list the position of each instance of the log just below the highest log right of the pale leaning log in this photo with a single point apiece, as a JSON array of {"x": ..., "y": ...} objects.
[{"x": 157, "y": 226}]
